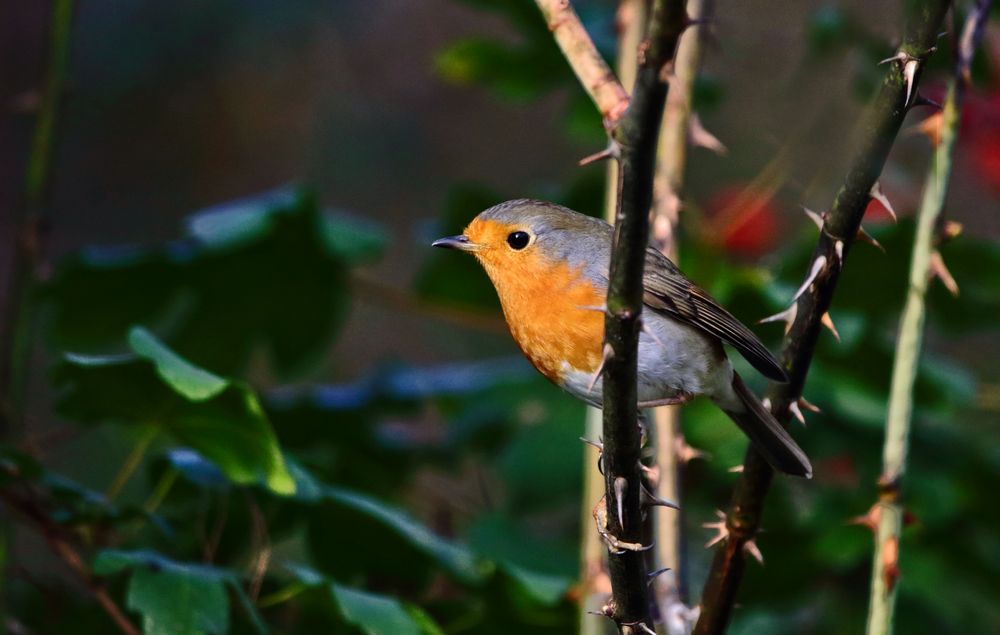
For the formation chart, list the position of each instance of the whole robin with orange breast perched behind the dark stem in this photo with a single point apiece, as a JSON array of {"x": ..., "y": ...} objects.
[{"x": 550, "y": 264}]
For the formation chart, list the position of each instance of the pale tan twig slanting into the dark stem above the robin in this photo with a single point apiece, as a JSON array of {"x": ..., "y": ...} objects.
[{"x": 593, "y": 72}]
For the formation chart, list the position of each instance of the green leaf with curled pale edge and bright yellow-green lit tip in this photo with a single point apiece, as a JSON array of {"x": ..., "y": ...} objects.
[{"x": 220, "y": 418}]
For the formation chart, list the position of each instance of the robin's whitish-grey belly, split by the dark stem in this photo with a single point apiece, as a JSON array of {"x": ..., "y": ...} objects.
[{"x": 674, "y": 359}]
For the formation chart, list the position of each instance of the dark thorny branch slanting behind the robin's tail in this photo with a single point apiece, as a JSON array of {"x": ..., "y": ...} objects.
[{"x": 880, "y": 127}]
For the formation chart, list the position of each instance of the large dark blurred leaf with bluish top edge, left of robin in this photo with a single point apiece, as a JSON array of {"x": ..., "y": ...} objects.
[{"x": 271, "y": 270}]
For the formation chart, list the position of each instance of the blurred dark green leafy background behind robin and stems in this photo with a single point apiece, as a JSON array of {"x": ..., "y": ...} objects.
[{"x": 252, "y": 187}]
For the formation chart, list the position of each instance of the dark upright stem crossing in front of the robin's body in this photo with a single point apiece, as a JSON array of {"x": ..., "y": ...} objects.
[{"x": 636, "y": 134}]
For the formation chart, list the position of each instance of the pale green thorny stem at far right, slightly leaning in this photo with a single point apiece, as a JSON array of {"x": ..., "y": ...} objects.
[{"x": 889, "y": 509}]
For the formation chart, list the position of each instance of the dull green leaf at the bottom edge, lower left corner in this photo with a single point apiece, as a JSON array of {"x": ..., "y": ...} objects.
[{"x": 174, "y": 598}]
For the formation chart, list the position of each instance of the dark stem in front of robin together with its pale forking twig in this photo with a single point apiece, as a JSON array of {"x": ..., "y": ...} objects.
[{"x": 634, "y": 127}]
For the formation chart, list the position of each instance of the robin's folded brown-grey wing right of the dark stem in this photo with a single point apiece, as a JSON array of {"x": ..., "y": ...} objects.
[{"x": 668, "y": 291}]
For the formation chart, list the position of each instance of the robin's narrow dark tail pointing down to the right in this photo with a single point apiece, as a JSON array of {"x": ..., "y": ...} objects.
[{"x": 766, "y": 434}]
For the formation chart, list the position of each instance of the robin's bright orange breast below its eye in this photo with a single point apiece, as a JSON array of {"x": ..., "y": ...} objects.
[{"x": 553, "y": 312}]
